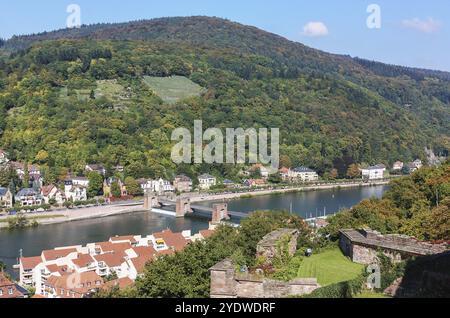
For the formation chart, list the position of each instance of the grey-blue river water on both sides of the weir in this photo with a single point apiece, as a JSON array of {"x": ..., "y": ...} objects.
[{"x": 306, "y": 204}]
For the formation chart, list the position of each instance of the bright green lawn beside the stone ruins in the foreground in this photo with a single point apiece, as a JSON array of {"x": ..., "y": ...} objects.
[{"x": 329, "y": 267}]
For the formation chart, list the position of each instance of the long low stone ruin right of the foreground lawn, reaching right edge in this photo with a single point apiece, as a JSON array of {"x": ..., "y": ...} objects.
[{"x": 363, "y": 246}]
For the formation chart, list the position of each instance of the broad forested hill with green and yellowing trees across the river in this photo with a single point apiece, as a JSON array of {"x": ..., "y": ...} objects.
[{"x": 74, "y": 96}]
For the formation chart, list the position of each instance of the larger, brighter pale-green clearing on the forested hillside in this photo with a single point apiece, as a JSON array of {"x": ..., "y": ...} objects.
[{"x": 172, "y": 89}]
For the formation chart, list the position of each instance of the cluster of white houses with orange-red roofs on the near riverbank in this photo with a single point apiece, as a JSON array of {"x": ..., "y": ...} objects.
[{"x": 78, "y": 271}]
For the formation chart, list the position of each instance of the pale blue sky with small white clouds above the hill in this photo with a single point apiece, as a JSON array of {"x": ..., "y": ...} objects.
[{"x": 404, "y": 32}]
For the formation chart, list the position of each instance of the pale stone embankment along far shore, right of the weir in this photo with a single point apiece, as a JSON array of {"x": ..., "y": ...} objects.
[{"x": 264, "y": 192}]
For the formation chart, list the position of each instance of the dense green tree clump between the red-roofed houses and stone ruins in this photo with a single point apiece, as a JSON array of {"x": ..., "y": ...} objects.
[{"x": 186, "y": 274}]
